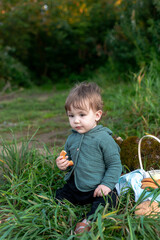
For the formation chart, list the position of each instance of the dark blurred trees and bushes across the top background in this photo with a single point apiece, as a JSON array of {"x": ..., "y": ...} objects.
[{"x": 56, "y": 40}]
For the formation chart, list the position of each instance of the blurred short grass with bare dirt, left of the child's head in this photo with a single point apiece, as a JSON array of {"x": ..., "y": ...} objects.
[{"x": 28, "y": 110}]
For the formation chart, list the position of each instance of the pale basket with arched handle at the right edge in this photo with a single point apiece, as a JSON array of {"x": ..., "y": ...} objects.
[{"x": 152, "y": 173}]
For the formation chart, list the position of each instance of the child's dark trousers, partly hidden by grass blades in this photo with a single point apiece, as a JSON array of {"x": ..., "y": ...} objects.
[{"x": 73, "y": 195}]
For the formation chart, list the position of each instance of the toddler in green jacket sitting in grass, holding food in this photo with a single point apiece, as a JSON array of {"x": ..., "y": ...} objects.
[{"x": 95, "y": 154}]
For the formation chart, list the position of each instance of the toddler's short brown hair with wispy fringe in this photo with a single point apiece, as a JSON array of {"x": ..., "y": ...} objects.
[{"x": 82, "y": 93}]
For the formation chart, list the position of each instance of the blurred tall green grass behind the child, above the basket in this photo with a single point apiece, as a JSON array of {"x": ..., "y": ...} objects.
[{"x": 132, "y": 108}]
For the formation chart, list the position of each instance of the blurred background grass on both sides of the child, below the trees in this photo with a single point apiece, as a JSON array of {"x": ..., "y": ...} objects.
[{"x": 129, "y": 109}]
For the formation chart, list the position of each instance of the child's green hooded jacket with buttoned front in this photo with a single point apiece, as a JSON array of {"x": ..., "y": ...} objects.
[{"x": 96, "y": 158}]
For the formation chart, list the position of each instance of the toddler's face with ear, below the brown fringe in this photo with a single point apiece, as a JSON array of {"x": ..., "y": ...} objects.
[{"x": 83, "y": 120}]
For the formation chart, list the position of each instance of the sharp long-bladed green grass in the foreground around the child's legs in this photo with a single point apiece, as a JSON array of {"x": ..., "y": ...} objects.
[{"x": 28, "y": 209}]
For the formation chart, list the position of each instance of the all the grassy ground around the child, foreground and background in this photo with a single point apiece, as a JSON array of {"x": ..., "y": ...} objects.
[{"x": 27, "y": 206}]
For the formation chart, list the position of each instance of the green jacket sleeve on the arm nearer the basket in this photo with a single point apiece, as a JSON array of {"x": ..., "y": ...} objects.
[{"x": 113, "y": 166}]
